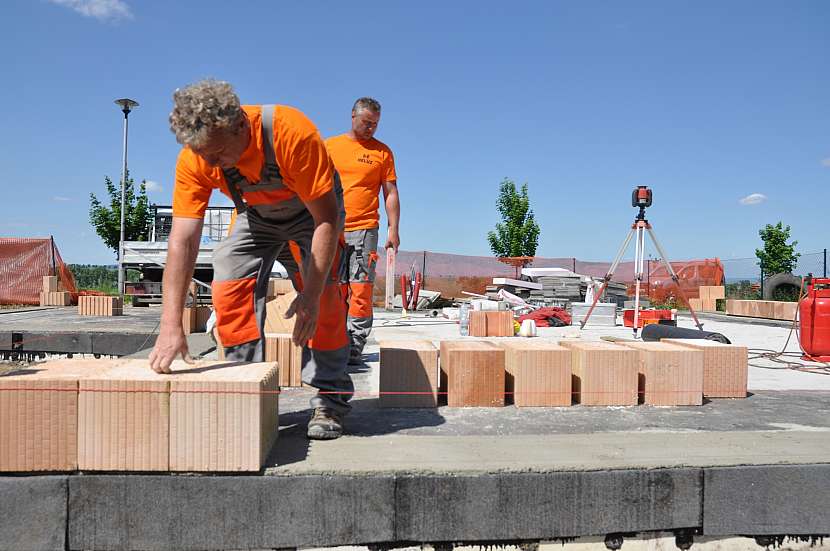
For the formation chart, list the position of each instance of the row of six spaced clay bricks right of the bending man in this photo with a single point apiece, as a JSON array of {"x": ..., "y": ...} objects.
[{"x": 545, "y": 373}]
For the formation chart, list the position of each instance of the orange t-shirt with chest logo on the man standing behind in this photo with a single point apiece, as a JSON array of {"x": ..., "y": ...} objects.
[{"x": 363, "y": 167}]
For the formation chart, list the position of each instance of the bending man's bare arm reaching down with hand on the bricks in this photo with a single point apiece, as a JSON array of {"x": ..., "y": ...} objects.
[{"x": 182, "y": 248}]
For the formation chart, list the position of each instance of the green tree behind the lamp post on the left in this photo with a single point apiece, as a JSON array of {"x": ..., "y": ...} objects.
[{"x": 107, "y": 220}]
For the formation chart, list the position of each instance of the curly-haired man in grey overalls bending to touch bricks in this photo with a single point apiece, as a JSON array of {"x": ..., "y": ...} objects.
[{"x": 271, "y": 161}]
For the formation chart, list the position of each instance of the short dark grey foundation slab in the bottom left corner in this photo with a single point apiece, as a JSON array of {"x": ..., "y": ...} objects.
[{"x": 33, "y": 513}]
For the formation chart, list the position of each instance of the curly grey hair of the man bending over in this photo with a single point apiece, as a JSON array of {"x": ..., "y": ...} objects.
[{"x": 202, "y": 107}]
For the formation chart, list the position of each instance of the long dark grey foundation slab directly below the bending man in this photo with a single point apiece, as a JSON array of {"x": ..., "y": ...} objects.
[{"x": 228, "y": 512}]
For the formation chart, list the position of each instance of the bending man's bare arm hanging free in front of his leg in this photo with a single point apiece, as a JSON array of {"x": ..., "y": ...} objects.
[{"x": 328, "y": 225}]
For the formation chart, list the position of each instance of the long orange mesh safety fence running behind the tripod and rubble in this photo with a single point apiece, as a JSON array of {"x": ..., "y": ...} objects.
[{"x": 450, "y": 274}]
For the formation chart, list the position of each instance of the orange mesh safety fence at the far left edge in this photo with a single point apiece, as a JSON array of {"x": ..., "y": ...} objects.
[{"x": 23, "y": 264}]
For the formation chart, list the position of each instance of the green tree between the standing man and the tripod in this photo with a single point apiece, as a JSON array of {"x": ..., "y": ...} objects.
[{"x": 518, "y": 232}]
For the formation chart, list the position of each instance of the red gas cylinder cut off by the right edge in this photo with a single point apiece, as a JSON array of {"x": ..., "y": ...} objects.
[{"x": 814, "y": 321}]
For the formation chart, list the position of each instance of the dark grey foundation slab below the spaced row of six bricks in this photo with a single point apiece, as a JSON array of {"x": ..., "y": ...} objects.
[{"x": 545, "y": 506}]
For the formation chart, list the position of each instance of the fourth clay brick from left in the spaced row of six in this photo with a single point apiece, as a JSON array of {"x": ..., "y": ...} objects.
[{"x": 604, "y": 374}]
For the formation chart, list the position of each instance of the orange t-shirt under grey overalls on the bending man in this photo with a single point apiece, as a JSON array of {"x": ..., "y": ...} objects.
[{"x": 305, "y": 166}]
